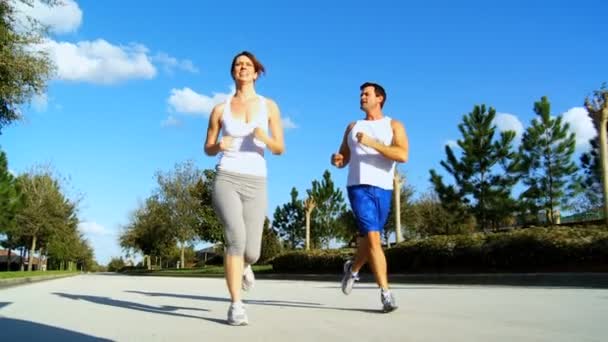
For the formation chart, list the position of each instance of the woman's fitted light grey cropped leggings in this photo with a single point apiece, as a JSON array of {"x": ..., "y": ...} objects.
[{"x": 240, "y": 202}]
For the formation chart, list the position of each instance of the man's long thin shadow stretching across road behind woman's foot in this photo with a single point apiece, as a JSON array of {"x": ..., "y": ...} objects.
[{"x": 279, "y": 303}]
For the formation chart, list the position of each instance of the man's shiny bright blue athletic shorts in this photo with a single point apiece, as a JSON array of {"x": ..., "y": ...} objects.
[{"x": 371, "y": 206}]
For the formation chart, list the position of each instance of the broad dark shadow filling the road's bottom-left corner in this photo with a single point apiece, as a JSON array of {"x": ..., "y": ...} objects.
[{"x": 20, "y": 330}]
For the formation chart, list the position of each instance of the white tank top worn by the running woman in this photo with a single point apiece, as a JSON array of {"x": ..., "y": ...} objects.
[{"x": 246, "y": 155}]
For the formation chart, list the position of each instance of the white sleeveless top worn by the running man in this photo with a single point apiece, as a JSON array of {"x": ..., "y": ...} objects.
[{"x": 368, "y": 166}]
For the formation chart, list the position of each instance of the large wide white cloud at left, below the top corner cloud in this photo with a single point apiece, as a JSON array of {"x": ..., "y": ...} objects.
[{"x": 99, "y": 61}]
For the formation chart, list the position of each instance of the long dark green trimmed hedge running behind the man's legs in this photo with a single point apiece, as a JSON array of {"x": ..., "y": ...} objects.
[{"x": 554, "y": 249}]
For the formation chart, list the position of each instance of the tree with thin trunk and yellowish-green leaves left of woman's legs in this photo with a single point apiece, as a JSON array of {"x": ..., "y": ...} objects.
[{"x": 176, "y": 192}]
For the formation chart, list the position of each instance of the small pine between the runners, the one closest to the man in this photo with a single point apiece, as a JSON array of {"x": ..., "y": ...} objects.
[{"x": 329, "y": 206}]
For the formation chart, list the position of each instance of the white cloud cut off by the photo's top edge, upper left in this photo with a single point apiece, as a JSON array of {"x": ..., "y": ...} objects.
[{"x": 65, "y": 17}]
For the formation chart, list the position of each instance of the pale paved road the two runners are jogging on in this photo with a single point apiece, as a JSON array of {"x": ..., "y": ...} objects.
[{"x": 129, "y": 308}]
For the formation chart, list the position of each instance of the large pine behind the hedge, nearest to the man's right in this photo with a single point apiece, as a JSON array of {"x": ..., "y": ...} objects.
[{"x": 484, "y": 174}]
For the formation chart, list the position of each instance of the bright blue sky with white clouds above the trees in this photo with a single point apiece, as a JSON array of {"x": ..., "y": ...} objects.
[{"x": 135, "y": 84}]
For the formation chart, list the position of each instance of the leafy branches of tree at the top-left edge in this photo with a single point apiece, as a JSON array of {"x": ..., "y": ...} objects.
[{"x": 24, "y": 69}]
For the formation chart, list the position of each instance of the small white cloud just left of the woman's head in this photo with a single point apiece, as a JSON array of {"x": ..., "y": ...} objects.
[{"x": 188, "y": 101}]
